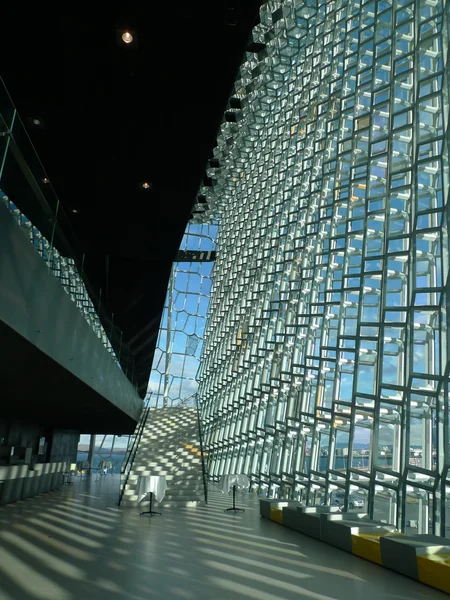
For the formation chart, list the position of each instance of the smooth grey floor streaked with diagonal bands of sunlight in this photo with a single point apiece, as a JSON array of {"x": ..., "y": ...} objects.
[{"x": 76, "y": 544}]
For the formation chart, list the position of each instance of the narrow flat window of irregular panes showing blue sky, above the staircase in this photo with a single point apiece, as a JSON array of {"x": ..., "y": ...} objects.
[{"x": 177, "y": 355}]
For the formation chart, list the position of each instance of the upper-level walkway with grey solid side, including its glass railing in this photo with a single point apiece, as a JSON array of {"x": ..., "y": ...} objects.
[{"x": 64, "y": 361}]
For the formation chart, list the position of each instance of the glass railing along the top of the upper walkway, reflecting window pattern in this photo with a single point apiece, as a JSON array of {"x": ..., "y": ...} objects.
[{"x": 27, "y": 191}]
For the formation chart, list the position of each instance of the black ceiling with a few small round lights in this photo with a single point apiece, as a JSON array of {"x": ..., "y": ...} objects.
[{"x": 113, "y": 116}]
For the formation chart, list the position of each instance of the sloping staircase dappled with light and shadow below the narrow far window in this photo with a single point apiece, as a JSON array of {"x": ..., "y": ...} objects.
[{"x": 169, "y": 446}]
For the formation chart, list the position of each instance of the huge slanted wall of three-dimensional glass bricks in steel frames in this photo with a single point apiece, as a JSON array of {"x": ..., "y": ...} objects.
[{"x": 324, "y": 370}]
